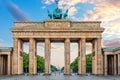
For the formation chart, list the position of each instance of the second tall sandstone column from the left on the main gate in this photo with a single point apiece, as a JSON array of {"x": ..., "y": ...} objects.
[{"x": 32, "y": 57}]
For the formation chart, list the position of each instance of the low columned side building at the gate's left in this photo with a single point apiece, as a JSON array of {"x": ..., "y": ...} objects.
[{"x": 5, "y": 61}]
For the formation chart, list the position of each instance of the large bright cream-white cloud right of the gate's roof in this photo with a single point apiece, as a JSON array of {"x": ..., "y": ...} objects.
[{"x": 108, "y": 12}]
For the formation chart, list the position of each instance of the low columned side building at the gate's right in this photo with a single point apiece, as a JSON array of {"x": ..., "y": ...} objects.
[{"x": 111, "y": 61}]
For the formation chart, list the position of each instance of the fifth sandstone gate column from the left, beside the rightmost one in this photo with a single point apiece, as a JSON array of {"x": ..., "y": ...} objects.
[{"x": 82, "y": 57}]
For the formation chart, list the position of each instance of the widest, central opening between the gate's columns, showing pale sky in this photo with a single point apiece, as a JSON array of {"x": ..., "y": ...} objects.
[{"x": 57, "y": 58}]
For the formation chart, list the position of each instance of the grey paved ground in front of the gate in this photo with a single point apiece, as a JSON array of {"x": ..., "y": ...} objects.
[{"x": 59, "y": 77}]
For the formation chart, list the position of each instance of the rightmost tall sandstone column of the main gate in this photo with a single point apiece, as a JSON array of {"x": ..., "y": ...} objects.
[{"x": 97, "y": 65}]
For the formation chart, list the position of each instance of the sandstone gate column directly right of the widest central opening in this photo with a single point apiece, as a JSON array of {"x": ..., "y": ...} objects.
[{"x": 67, "y": 56}]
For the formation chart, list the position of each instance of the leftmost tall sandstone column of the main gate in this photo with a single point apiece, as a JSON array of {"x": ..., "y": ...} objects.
[{"x": 17, "y": 59}]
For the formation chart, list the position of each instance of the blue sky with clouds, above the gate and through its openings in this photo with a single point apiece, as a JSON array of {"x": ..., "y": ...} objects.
[{"x": 107, "y": 11}]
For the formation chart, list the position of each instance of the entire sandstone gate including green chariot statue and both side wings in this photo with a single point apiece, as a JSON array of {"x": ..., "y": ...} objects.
[{"x": 58, "y": 28}]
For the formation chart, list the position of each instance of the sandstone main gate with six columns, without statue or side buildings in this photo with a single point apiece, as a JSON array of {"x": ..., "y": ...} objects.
[{"x": 57, "y": 30}]
